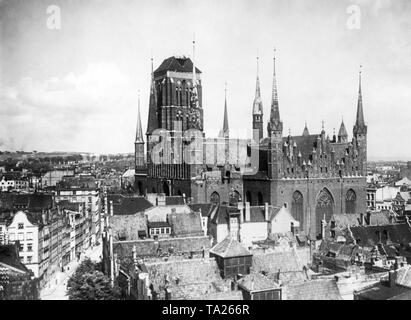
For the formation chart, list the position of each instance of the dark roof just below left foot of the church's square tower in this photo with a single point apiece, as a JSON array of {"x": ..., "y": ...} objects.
[{"x": 127, "y": 205}]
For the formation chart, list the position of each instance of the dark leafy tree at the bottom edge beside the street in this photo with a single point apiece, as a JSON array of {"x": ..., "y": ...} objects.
[{"x": 90, "y": 283}]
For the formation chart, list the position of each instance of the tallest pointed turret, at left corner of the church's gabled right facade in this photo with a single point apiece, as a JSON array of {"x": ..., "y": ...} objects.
[{"x": 275, "y": 134}]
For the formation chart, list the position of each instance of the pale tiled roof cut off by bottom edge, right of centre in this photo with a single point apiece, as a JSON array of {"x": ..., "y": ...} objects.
[{"x": 323, "y": 289}]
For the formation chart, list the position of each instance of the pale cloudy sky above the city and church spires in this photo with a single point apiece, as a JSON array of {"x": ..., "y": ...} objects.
[{"x": 76, "y": 88}]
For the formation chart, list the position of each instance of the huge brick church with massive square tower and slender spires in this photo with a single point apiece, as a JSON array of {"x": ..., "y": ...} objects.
[{"x": 314, "y": 175}]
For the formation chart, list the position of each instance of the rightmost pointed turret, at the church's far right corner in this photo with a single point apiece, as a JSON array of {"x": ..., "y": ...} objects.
[{"x": 360, "y": 134}]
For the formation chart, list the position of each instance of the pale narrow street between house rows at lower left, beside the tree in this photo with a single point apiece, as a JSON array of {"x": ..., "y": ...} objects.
[{"x": 57, "y": 289}]
